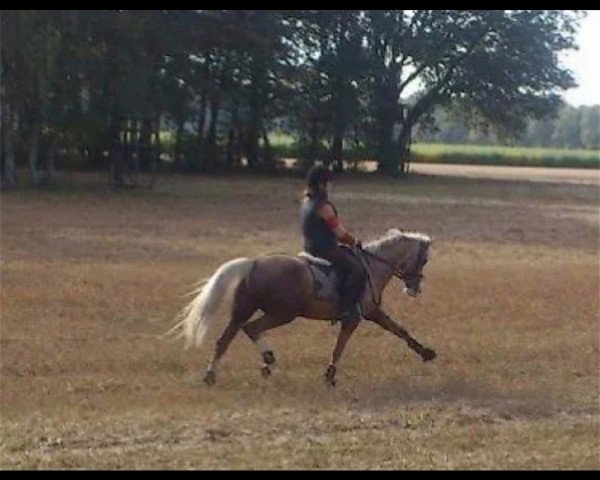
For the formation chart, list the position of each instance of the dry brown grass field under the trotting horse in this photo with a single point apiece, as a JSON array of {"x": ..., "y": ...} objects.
[{"x": 91, "y": 279}]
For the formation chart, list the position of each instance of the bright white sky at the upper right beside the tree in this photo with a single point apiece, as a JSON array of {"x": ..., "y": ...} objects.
[{"x": 585, "y": 63}]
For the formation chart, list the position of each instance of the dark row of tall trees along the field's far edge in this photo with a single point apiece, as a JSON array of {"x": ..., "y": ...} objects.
[{"x": 100, "y": 88}]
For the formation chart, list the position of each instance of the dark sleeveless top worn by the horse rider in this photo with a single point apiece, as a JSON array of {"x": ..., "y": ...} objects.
[{"x": 318, "y": 238}]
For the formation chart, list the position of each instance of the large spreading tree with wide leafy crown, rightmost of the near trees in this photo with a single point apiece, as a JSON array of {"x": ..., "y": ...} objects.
[{"x": 501, "y": 67}]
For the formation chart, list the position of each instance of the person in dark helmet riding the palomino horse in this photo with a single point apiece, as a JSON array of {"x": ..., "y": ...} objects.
[{"x": 322, "y": 231}]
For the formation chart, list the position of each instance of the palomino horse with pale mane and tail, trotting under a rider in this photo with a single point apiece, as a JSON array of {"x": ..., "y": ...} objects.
[{"x": 283, "y": 288}]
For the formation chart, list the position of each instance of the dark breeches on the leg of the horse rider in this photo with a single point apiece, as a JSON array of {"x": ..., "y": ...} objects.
[{"x": 352, "y": 275}]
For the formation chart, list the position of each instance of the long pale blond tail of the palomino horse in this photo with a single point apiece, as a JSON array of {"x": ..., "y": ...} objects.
[{"x": 200, "y": 314}]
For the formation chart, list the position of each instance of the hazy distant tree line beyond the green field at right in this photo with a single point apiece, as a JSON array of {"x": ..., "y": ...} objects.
[{"x": 570, "y": 127}]
